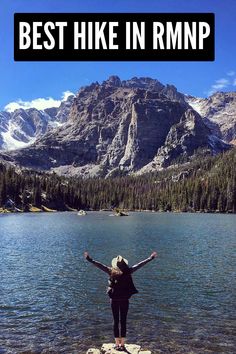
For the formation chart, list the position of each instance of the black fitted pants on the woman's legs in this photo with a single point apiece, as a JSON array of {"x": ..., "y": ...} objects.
[{"x": 119, "y": 310}]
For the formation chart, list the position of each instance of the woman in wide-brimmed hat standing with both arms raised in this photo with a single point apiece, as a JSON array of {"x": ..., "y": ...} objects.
[{"x": 121, "y": 288}]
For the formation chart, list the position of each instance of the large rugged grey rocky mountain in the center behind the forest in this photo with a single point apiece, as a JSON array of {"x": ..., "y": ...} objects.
[{"x": 120, "y": 127}]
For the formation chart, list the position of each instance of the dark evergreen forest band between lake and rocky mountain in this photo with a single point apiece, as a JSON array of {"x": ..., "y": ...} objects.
[{"x": 206, "y": 184}]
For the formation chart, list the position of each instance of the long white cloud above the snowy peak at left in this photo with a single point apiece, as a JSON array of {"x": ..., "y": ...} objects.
[{"x": 38, "y": 103}]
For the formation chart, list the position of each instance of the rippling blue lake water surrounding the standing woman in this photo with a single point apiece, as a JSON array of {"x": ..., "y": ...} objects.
[{"x": 53, "y": 301}]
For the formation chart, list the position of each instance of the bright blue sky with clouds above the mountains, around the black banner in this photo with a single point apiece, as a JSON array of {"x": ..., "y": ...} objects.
[{"x": 44, "y": 84}]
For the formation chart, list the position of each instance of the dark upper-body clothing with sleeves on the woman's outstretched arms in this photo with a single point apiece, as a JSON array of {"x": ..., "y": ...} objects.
[{"x": 121, "y": 286}]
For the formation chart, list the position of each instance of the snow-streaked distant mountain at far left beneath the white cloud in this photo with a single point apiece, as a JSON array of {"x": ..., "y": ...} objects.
[{"x": 22, "y": 127}]
